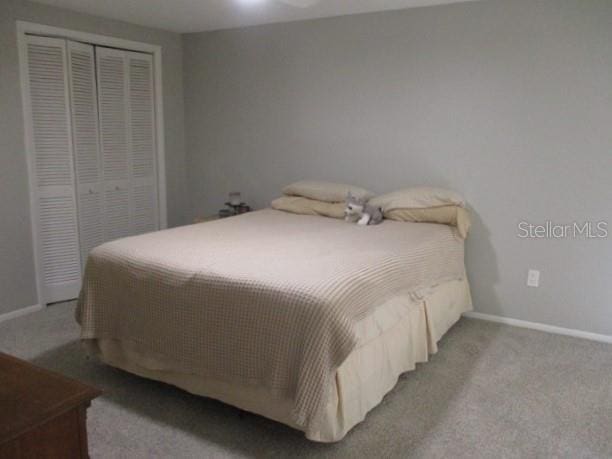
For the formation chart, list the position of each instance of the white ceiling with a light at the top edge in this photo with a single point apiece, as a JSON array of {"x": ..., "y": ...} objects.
[{"x": 200, "y": 15}]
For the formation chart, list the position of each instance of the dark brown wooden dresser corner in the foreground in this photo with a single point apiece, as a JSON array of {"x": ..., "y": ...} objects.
[{"x": 42, "y": 414}]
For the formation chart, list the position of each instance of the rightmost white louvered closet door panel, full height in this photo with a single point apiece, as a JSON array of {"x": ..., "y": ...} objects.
[{"x": 144, "y": 214}]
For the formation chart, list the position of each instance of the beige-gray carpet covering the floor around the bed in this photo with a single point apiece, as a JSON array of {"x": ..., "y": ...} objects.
[{"x": 491, "y": 391}]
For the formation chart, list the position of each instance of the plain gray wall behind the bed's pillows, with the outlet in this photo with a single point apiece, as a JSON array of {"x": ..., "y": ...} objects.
[{"x": 508, "y": 102}]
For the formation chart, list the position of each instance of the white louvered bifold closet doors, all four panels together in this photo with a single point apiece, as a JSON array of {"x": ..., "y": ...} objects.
[{"x": 92, "y": 154}]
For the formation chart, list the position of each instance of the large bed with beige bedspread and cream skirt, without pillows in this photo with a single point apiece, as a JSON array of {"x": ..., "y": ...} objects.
[{"x": 306, "y": 320}]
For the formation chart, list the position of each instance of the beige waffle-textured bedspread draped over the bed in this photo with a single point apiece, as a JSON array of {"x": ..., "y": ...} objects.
[{"x": 267, "y": 298}]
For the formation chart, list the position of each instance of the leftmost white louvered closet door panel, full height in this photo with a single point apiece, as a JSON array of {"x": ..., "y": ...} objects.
[{"x": 52, "y": 171}]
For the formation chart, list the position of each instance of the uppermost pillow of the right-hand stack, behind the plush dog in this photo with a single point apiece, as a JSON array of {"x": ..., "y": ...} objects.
[{"x": 418, "y": 198}]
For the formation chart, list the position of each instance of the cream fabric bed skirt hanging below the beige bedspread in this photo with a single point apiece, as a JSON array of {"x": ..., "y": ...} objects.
[{"x": 391, "y": 342}]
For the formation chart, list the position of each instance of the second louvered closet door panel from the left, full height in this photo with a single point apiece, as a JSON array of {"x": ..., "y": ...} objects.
[{"x": 84, "y": 109}]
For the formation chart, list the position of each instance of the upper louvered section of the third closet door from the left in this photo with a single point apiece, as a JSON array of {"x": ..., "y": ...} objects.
[{"x": 112, "y": 106}]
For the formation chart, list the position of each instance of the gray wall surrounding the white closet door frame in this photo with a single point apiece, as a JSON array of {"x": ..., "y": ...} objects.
[{"x": 17, "y": 279}]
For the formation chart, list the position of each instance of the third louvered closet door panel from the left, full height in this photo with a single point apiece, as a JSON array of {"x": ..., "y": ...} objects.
[{"x": 114, "y": 141}]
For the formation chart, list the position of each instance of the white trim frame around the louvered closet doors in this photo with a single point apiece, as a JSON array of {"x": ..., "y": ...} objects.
[{"x": 25, "y": 28}]
